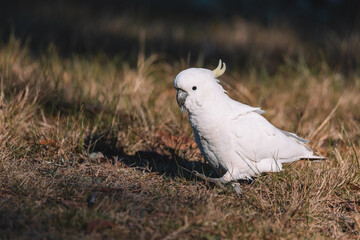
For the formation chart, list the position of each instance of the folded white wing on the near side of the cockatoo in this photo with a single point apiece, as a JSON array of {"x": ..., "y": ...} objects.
[{"x": 257, "y": 139}]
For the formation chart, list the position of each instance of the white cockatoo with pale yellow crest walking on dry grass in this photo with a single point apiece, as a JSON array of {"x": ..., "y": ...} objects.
[{"x": 234, "y": 138}]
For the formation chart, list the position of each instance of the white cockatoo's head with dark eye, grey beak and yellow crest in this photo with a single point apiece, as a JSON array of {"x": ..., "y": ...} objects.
[{"x": 198, "y": 86}]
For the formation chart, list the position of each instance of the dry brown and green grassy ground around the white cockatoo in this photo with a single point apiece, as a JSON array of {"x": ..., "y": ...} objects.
[{"x": 92, "y": 147}]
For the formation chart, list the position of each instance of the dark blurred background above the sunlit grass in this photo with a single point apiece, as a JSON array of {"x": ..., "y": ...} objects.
[{"x": 262, "y": 34}]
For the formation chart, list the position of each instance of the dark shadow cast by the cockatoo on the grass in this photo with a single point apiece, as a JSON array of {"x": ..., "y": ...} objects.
[{"x": 169, "y": 164}]
